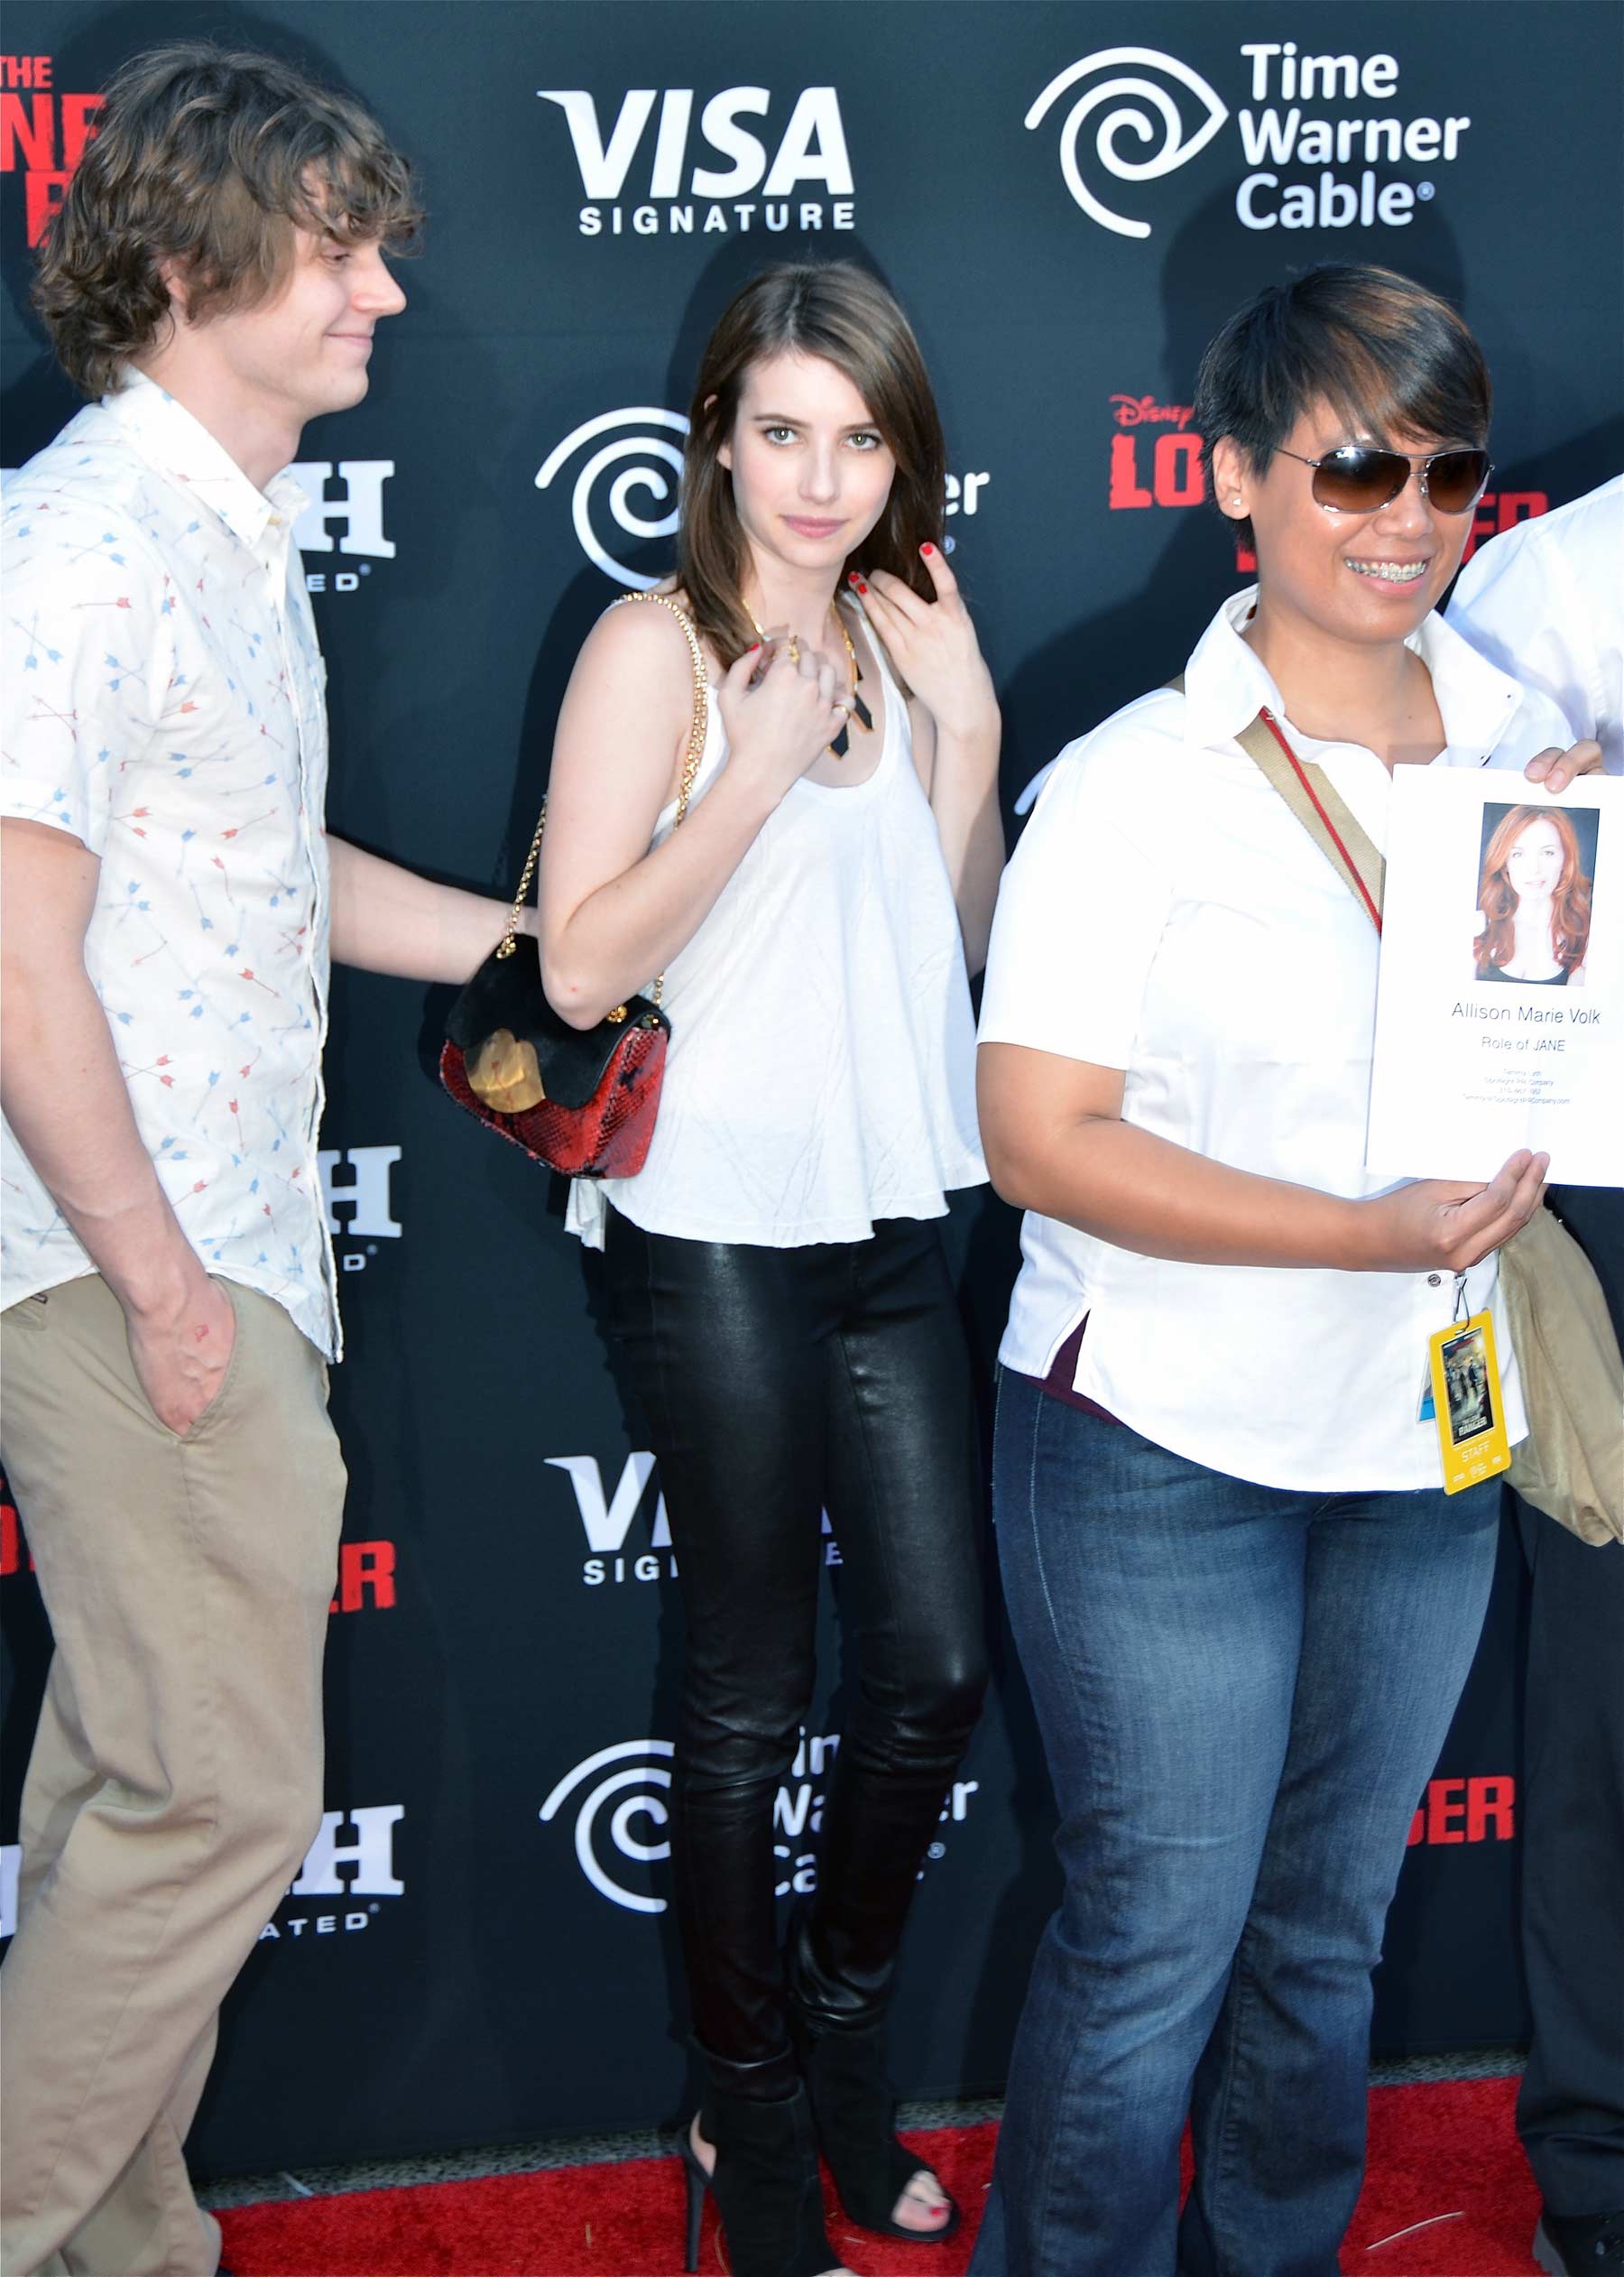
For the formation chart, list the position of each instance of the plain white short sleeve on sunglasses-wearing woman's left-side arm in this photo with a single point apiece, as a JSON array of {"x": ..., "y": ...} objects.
[{"x": 1083, "y": 907}]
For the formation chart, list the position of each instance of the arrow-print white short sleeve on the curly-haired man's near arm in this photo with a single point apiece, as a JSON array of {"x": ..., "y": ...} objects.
[{"x": 85, "y": 661}]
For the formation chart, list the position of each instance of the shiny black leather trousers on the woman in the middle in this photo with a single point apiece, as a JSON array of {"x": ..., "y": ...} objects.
[{"x": 780, "y": 1383}]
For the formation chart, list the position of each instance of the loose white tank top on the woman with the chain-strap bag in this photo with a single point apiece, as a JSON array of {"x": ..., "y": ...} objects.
[{"x": 821, "y": 1071}]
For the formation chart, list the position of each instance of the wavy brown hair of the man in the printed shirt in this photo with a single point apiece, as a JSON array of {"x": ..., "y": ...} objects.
[{"x": 213, "y": 161}]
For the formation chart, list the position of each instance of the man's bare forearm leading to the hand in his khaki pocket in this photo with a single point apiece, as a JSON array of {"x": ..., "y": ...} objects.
[{"x": 67, "y": 1101}]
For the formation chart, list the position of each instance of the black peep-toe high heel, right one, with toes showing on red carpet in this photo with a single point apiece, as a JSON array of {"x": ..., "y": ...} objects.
[{"x": 855, "y": 2112}]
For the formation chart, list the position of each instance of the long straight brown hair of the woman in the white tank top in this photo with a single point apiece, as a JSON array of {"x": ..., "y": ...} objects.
[{"x": 848, "y": 318}]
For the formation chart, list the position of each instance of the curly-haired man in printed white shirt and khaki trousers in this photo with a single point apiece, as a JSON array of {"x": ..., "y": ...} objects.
[{"x": 172, "y": 903}]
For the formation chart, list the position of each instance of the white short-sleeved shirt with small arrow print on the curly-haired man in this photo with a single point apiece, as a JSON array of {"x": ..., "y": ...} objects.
[{"x": 165, "y": 705}]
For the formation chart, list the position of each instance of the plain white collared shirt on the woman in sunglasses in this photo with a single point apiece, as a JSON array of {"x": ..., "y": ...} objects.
[{"x": 1170, "y": 916}]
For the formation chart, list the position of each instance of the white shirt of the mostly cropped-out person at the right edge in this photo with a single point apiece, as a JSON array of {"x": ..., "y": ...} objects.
[{"x": 1545, "y": 600}]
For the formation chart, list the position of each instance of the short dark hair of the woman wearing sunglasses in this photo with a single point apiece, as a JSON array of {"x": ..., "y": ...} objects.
[{"x": 1388, "y": 354}]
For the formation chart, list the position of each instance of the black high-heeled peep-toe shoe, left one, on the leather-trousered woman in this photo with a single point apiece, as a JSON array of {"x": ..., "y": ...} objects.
[{"x": 766, "y": 2187}]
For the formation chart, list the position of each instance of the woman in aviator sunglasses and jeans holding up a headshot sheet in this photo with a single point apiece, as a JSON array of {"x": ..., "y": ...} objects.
[{"x": 1242, "y": 1600}]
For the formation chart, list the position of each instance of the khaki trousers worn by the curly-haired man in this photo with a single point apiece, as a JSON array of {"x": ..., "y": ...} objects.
[{"x": 177, "y": 1773}]
